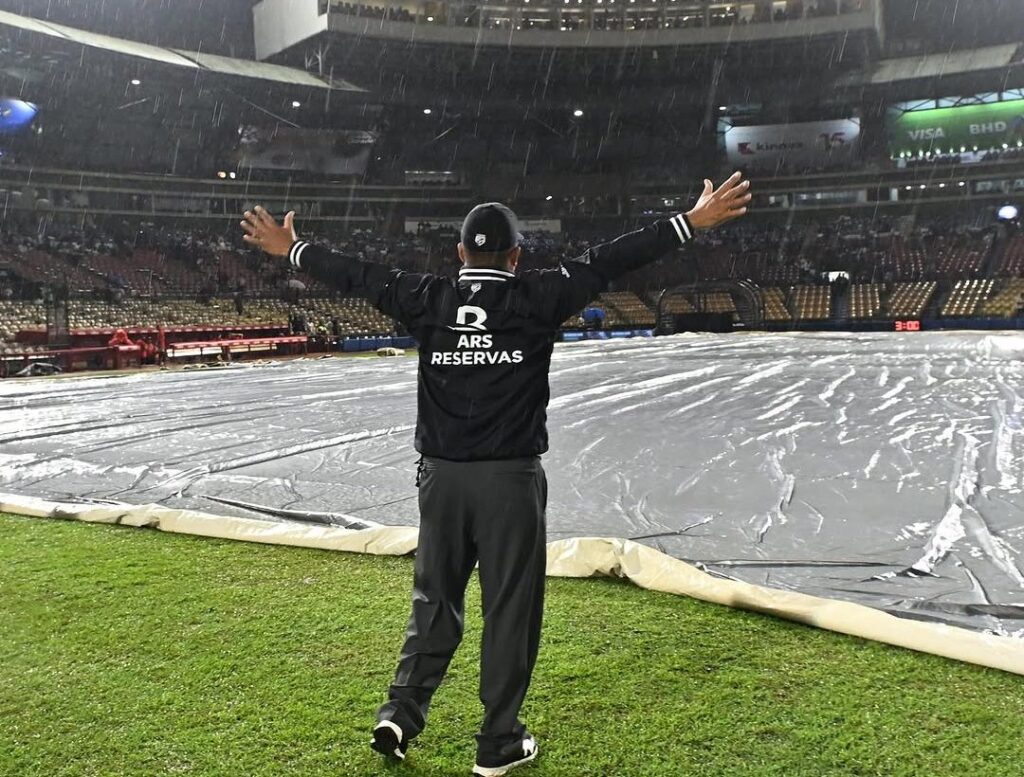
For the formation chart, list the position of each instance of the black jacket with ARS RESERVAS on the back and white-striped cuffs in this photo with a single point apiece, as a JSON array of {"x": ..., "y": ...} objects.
[{"x": 486, "y": 338}]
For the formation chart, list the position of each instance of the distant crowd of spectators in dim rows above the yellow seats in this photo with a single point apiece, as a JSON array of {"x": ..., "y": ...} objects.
[{"x": 208, "y": 266}]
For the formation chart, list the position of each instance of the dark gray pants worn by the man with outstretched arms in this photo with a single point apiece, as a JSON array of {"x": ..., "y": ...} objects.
[{"x": 492, "y": 512}]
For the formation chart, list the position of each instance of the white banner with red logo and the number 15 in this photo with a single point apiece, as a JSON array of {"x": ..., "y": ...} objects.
[{"x": 805, "y": 144}]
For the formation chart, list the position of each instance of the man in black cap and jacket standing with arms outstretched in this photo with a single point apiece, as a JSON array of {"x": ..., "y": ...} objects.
[{"x": 486, "y": 341}]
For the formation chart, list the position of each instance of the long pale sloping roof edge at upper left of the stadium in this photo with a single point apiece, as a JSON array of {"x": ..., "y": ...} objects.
[{"x": 178, "y": 58}]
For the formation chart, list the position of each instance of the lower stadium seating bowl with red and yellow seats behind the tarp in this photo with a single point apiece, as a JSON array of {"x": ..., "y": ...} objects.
[{"x": 182, "y": 277}]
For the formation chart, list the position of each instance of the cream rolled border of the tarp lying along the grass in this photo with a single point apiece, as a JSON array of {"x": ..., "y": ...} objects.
[{"x": 579, "y": 557}]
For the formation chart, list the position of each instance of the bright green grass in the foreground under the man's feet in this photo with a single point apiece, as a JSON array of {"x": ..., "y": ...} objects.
[{"x": 135, "y": 653}]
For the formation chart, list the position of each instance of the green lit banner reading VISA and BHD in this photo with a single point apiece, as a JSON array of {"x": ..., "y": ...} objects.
[{"x": 954, "y": 131}]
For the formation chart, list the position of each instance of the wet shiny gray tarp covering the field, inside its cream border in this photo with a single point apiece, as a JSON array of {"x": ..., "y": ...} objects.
[{"x": 876, "y": 468}]
